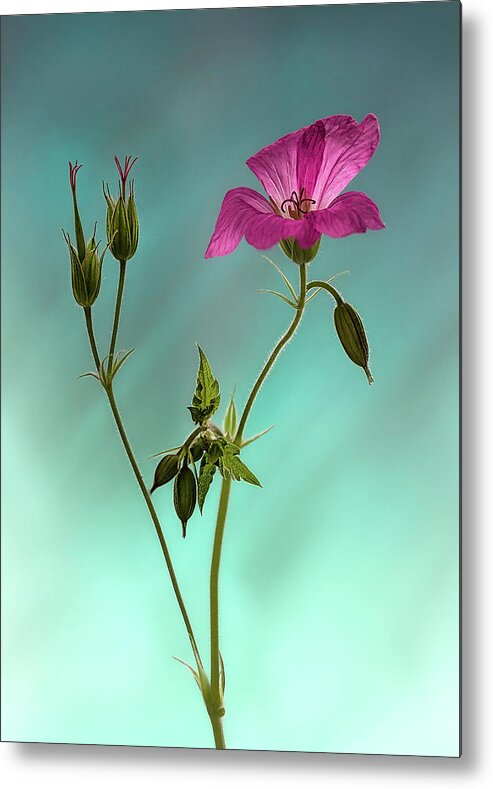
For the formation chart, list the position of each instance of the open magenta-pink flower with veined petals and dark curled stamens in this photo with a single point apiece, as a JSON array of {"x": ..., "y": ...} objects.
[{"x": 303, "y": 174}]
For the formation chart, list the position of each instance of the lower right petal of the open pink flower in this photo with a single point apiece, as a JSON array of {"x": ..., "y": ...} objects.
[{"x": 351, "y": 212}]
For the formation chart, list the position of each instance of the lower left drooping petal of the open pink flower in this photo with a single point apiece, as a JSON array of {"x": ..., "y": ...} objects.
[{"x": 245, "y": 212}]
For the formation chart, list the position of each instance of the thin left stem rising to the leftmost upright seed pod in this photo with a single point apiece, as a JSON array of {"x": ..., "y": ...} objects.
[{"x": 145, "y": 492}]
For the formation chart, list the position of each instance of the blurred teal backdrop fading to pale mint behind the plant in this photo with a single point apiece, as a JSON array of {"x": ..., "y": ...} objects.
[{"x": 339, "y": 584}]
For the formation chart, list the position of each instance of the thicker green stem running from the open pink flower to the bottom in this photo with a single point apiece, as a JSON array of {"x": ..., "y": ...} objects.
[{"x": 223, "y": 511}]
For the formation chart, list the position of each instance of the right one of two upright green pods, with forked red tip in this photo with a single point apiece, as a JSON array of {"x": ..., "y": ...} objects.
[{"x": 122, "y": 223}]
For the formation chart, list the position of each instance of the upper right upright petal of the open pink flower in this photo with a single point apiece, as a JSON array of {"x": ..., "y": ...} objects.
[{"x": 349, "y": 146}]
